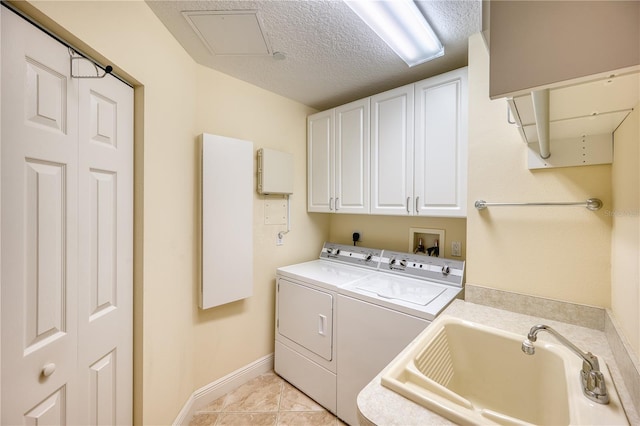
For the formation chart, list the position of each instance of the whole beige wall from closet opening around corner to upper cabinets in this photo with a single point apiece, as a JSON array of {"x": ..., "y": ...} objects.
[{"x": 179, "y": 348}]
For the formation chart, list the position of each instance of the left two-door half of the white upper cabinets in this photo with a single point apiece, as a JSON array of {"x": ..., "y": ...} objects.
[{"x": 338, "y": 159}]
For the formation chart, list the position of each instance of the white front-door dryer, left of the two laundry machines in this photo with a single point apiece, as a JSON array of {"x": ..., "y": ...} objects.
[{"x": 305, "y": 343}]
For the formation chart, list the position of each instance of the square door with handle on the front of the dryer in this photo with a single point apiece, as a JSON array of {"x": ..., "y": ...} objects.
[{"x": 305, "y": 316}]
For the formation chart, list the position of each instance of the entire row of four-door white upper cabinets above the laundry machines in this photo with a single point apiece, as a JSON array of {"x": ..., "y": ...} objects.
[{"x": 417, "y": 164}]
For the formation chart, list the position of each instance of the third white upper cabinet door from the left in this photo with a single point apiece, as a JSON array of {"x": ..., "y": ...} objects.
[{"x": 392, "y": 152}]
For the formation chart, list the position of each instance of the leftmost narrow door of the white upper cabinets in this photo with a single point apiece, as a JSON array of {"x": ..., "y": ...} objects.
[{"x": 320, "y": 162}]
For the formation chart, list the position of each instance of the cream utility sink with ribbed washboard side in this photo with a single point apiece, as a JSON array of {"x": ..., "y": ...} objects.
[{"x": 474, "y": 374}]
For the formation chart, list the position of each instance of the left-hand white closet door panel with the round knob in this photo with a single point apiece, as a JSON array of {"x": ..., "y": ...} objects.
[{"x": 39, "y": 235}]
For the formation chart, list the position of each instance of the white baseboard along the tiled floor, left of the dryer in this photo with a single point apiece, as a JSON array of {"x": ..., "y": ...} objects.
[{"x": 222, "y": 386}]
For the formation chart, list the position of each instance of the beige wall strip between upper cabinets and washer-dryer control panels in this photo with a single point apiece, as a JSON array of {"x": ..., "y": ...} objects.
[{"x": 392, "y": 232}]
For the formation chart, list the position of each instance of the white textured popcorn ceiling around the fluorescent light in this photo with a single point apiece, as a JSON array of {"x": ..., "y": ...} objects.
[{"x": 332, "y": 57}]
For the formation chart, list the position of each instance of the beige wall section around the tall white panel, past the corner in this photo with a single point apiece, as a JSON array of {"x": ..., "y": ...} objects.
[{"x": 234, "y": 335}]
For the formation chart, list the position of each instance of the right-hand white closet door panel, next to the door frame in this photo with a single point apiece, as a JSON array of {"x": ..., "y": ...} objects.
[{"x": 105, "y": 250}]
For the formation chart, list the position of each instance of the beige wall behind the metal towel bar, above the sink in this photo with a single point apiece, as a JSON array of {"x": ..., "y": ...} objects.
[{"x": 555, "y": 252}]
